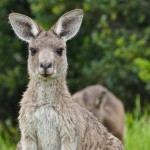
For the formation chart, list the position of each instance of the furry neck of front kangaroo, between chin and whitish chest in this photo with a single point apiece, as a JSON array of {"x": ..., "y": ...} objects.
[{"x": 52, "y": 92}]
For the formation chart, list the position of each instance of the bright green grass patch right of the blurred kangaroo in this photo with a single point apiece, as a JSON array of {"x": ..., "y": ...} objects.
[{"x": 138, "y": 129}]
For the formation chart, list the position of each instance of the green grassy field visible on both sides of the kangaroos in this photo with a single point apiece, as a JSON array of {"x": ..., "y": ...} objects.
[{"x": 137, "y": 132}]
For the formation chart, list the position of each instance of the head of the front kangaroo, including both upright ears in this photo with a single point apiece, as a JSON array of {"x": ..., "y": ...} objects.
[{"x": 47, "y": 49}]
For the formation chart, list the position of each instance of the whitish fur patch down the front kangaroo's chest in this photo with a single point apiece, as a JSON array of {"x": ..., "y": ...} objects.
[{"x": 46, "y": 127}]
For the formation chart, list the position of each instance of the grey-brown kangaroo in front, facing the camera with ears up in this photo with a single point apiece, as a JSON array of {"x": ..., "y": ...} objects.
[{"x": 49, "y": 119}]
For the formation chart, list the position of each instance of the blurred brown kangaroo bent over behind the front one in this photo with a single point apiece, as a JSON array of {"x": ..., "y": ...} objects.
[{"x": 107, "y": 108}]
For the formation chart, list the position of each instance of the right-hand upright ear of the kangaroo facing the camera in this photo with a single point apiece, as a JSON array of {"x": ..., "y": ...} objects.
[{"x": 68, "y": 25}]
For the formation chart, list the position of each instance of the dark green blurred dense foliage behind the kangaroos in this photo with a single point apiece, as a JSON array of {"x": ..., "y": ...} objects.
[{"x": 112, "y": 48}]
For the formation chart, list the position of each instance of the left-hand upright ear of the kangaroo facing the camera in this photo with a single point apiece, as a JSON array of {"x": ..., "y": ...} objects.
[{"x": 24, "y": 27}]
